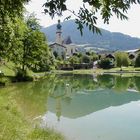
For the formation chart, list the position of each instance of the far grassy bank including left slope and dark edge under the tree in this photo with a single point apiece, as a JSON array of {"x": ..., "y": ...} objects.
[{"x": 10, "y": 77}]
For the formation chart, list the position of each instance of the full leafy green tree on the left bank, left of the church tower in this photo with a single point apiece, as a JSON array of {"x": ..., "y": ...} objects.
[{"x": 29, "y": 49}]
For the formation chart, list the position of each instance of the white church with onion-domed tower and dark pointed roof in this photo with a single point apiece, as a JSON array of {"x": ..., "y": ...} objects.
[{"x": 62, "y": 48}]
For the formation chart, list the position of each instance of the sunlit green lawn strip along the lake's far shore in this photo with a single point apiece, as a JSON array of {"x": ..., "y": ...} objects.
[{"x": 9, "y": 70}]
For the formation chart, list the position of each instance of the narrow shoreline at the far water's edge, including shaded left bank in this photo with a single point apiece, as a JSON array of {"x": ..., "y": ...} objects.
[{"x": 7, "y": 80}]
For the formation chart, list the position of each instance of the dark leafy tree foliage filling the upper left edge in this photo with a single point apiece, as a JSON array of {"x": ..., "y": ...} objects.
[{"x": 9, "y": 11}]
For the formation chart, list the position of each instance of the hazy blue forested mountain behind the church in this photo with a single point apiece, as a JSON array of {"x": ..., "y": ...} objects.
[{"x": 108, "y": 40}]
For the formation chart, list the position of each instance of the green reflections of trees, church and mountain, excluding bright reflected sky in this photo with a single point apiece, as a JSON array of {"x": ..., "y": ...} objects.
[{"x": 75, "y": 95}]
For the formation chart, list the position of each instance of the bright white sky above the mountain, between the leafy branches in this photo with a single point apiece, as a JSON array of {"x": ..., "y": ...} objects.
[{"x": 130, "y": 27}]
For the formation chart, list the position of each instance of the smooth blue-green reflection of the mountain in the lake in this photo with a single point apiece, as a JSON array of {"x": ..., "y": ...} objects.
[{"x": 85, "y": 104}]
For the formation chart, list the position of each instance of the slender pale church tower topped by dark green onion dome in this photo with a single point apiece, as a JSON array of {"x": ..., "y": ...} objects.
[{"x": 58, "y": 33}]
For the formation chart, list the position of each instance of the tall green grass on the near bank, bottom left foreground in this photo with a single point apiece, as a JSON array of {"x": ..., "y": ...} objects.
[{"x": 14, "y": 126}]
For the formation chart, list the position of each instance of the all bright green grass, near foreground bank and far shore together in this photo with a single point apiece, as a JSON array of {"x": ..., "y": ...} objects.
[{"x": 14, "y": 126}]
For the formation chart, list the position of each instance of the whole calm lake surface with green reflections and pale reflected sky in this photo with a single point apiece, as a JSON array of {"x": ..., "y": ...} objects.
[{"x": 84, "y": 107}]
